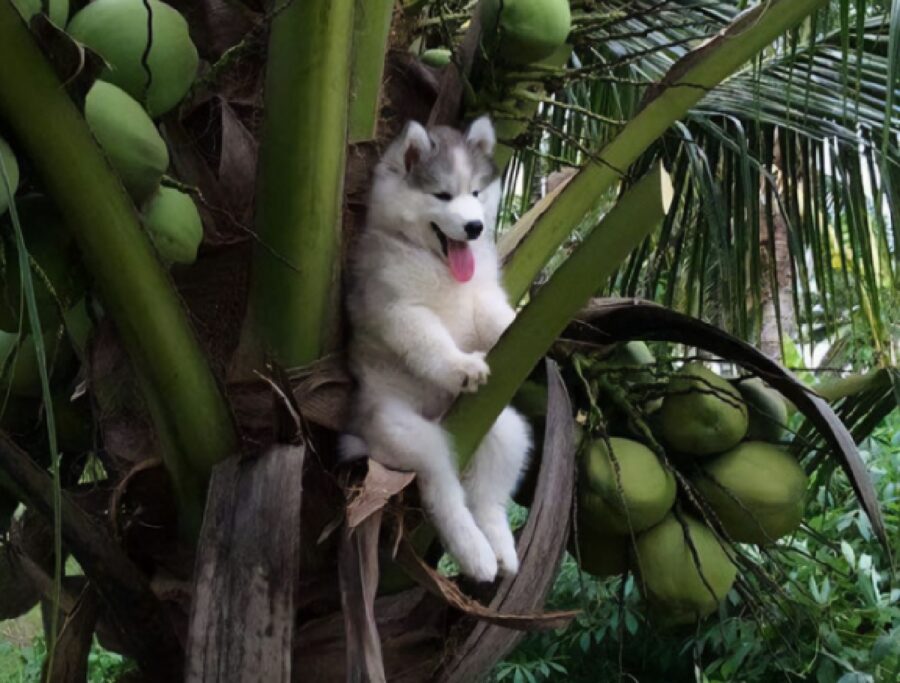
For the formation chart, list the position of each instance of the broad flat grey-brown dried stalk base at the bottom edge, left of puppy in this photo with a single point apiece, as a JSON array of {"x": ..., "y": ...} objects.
[{"x": 243, "y": 610}]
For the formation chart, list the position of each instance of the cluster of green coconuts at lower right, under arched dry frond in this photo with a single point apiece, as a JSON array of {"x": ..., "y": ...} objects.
[{"x": 722, "y": 442}]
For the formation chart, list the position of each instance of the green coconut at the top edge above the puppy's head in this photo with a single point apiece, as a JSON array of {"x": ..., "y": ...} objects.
[{"x": 526, "y": 31}]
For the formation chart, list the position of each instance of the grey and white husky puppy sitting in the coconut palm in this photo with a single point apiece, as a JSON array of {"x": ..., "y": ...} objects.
[{"x": 426, "y": 304}]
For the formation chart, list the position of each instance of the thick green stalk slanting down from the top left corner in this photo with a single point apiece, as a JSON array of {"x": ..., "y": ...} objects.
[{"x": 188, "y": 409}]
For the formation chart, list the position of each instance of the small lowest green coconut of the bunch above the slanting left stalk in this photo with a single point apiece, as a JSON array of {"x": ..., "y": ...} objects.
[{"x": 174, "y": 225}]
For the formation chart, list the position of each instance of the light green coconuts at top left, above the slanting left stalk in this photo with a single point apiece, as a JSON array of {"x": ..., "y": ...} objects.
[{"x": 132, "y": 91}]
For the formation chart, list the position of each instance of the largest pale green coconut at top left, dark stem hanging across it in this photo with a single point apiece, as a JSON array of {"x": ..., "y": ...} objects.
[{"x": 117, "y": 31}]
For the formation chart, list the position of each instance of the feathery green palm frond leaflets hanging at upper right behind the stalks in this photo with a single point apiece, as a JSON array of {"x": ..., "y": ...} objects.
[{"x": 825, "y": 96}]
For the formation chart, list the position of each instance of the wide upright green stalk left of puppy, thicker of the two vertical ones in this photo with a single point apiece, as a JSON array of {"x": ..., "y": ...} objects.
[{"x": 293, "y": 288}]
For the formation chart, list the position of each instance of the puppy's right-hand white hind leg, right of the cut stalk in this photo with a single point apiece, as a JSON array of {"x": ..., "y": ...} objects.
[{"x": 495, "y": 470}]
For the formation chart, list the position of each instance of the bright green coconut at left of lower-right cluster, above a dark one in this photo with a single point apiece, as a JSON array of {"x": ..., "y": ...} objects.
[{"x": 646, "y": 494}]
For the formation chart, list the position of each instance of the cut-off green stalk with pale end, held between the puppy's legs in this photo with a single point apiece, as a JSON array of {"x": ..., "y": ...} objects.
[{"x": 639, "y": 211}]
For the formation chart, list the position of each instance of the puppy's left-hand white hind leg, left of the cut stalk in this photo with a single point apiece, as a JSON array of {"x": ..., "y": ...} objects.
[{"x": 401, "y": 438}]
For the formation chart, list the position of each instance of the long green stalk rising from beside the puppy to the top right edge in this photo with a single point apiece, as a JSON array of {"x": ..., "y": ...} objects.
[{"x": 687, "y": 82}]
